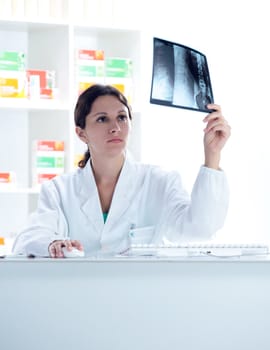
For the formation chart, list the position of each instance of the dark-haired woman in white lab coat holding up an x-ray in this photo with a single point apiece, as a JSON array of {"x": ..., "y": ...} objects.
[{"x": 110, "y": 197}]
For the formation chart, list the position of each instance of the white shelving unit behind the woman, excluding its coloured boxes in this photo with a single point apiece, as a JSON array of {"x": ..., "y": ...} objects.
[{"x": 50, "y": 45}]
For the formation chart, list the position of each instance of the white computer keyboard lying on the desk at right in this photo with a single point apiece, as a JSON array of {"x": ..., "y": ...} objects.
[{"x": 219, "y": 250}]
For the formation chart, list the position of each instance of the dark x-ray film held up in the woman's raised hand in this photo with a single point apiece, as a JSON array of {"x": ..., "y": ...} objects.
[{"x": 180, "y": 77}]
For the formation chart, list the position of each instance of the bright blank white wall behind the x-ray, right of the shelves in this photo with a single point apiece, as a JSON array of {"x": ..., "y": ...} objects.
[{"x": 234, "y": 37}]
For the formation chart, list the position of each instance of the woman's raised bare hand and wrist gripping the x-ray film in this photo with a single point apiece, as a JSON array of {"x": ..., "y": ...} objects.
[{"x": 216, "y": 134}]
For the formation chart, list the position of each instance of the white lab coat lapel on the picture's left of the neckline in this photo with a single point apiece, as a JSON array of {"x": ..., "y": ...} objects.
[{"x": 89, "y": 198}]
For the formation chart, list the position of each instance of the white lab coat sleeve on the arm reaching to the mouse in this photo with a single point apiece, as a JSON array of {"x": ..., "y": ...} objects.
[{"x": 45, "y": 225}]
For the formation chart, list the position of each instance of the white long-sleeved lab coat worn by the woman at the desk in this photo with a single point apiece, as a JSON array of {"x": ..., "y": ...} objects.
[{"x": 148, "y": 201}]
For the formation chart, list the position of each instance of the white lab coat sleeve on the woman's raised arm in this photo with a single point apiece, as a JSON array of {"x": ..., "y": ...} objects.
[{"x": 205, "y": 213}]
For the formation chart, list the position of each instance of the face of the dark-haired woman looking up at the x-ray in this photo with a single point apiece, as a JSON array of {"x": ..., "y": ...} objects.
[{"x": 107, "y": 127}]
